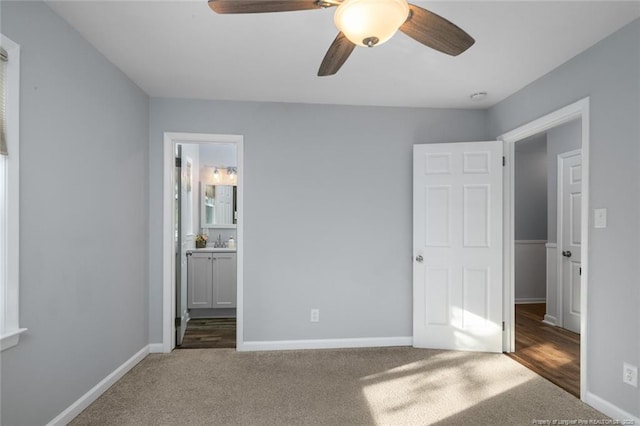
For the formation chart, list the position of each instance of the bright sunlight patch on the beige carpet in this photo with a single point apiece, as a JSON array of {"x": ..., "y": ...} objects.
[{"x": 433, "y": 389}]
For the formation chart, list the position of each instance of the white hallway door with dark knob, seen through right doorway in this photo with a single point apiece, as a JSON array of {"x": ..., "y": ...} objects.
[{"x": 569, "y": 231}]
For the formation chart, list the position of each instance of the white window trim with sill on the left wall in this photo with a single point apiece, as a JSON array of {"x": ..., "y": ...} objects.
[{"x": 10, "y": 329}]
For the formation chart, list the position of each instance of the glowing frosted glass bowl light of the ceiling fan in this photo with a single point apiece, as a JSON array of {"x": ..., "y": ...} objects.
[{"x": 370, "y": 23}]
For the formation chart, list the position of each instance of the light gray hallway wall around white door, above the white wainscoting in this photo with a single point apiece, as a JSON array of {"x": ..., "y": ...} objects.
[{"x": 561, "y": 139}]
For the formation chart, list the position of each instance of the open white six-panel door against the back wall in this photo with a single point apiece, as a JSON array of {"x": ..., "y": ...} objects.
[{"x": 457, "y": 246}]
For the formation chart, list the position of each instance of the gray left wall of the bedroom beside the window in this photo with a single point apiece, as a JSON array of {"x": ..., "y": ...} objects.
[{"x": 83, "y": 204}]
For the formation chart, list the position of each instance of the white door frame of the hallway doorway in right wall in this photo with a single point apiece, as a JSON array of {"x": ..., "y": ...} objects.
[{"x": 577, "y": 110}]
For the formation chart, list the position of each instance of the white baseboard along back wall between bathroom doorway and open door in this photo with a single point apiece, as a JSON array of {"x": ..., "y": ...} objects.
[{"x": 284, "y": 345}]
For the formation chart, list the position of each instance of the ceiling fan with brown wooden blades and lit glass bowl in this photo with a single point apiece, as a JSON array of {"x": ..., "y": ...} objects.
[{"x": 364, "y": 23}]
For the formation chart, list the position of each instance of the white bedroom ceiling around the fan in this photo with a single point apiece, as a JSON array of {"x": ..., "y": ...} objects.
[{"x": 182, "y": 49}]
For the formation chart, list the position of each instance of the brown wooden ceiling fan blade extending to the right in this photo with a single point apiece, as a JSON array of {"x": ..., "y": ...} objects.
[{"x": 436, "y": 32}]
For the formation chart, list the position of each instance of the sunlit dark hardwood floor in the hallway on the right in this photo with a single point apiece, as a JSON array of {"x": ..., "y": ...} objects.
[{"x": 552, "y": 352}]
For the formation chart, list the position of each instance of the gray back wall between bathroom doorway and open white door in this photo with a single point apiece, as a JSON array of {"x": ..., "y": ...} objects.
[{"x": 328, "y": 213}]
